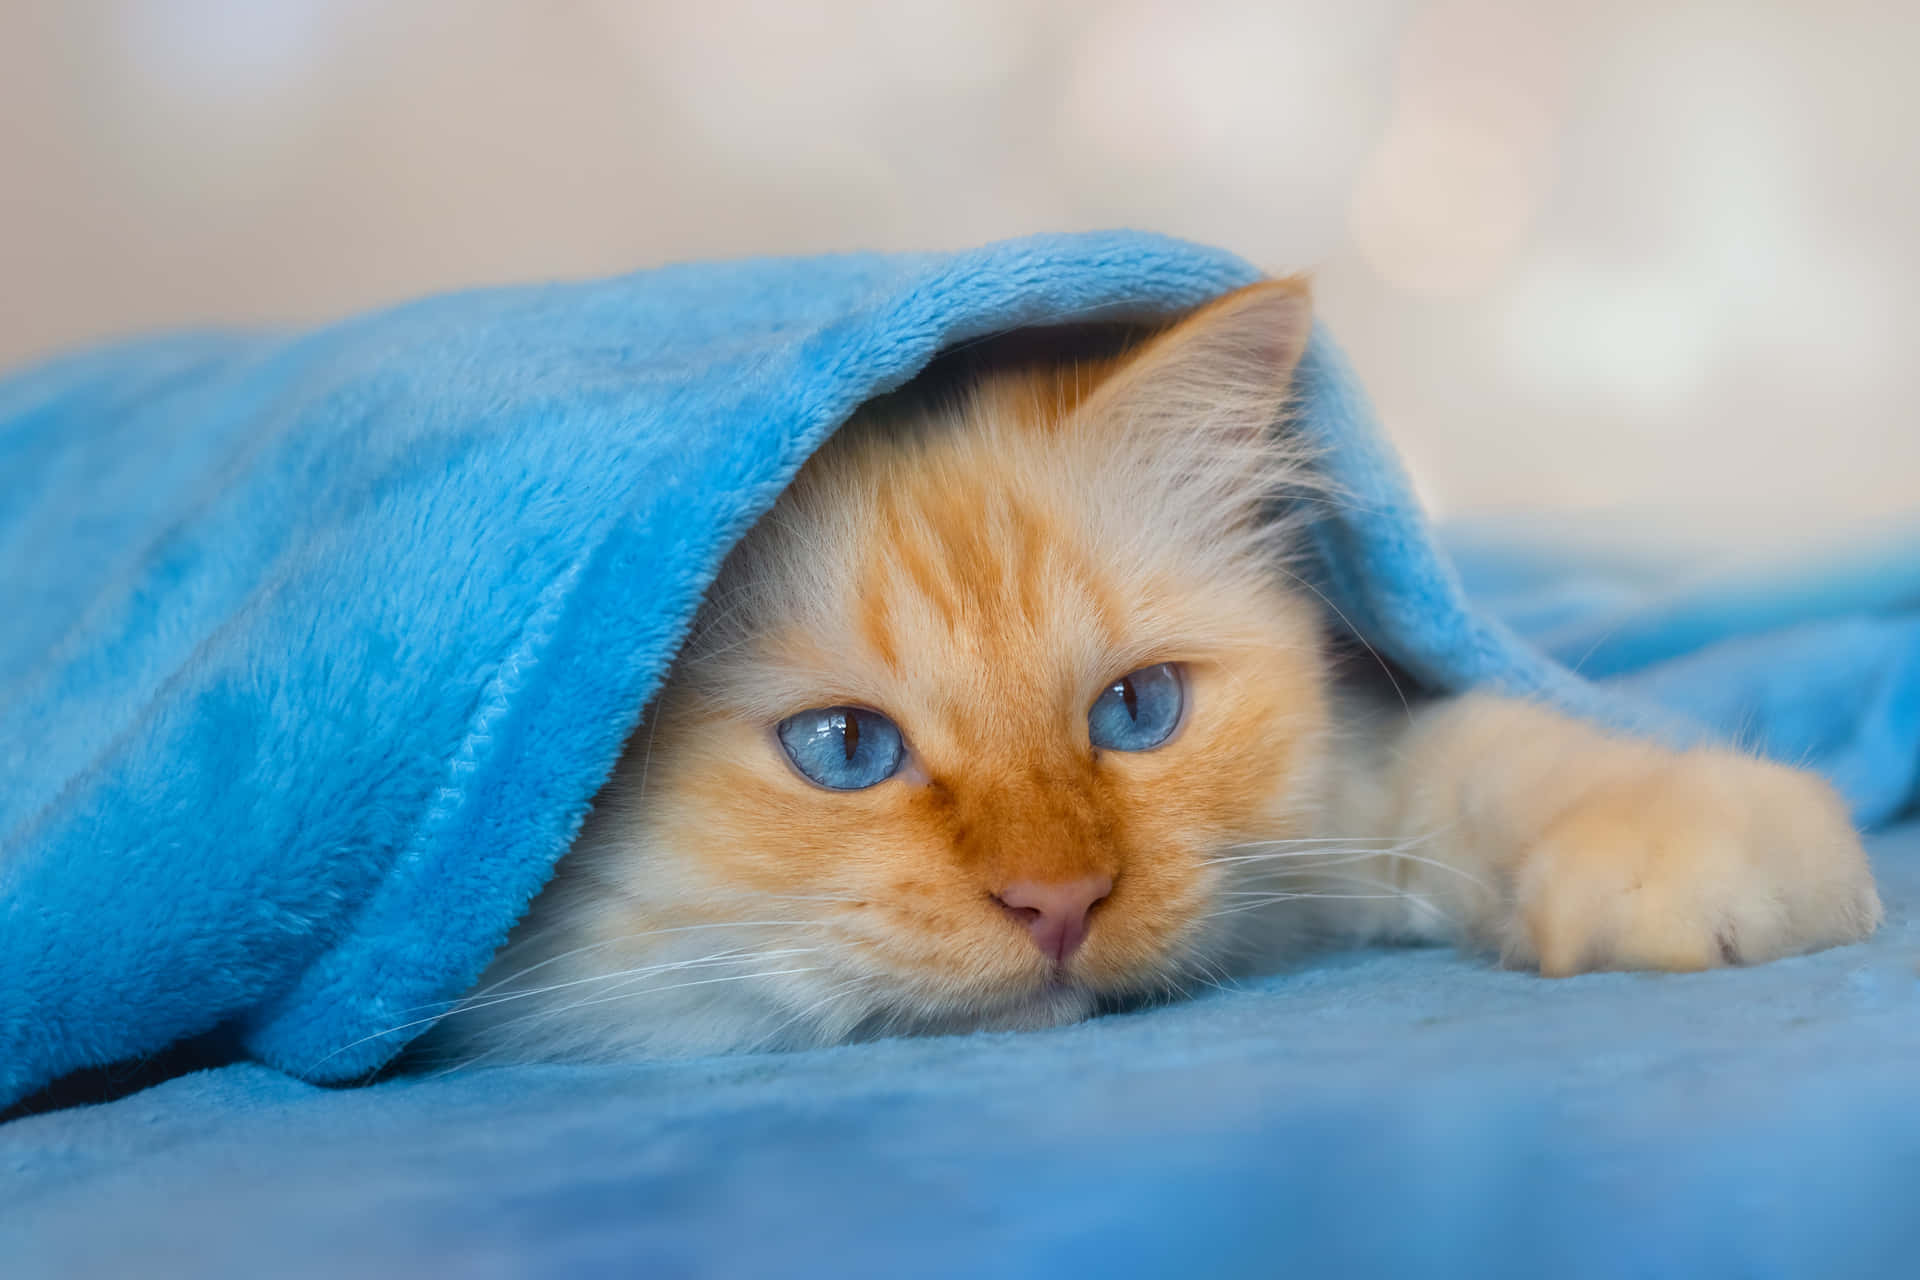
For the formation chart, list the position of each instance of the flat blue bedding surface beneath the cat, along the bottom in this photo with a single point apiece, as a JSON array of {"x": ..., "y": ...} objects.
[{"x": 1374, "y": 1114}]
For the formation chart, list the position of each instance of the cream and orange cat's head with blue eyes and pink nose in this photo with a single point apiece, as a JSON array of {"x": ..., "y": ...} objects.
[{"x": 974, "y": 723}]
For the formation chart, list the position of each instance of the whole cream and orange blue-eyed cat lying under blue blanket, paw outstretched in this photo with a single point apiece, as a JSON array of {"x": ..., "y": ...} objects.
[{"x": 1011, "y": 711}]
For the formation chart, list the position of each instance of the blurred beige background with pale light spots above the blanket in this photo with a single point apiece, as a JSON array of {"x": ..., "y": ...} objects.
[{"x": 1618, "y": 262}]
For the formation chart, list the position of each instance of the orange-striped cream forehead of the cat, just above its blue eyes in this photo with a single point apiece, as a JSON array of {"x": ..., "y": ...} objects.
[{"x": 972, "y": 586}]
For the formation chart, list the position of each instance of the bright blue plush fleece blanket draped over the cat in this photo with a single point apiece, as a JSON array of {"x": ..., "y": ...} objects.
[{"x": 320, "y": 644}]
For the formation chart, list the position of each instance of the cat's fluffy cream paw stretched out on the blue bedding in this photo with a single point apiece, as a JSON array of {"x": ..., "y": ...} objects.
[{"x": 1700, "y": 861}]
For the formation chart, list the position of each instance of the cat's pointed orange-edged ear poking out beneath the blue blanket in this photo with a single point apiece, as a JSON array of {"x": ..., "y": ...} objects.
[{"x": 1226, "y": 367}]
